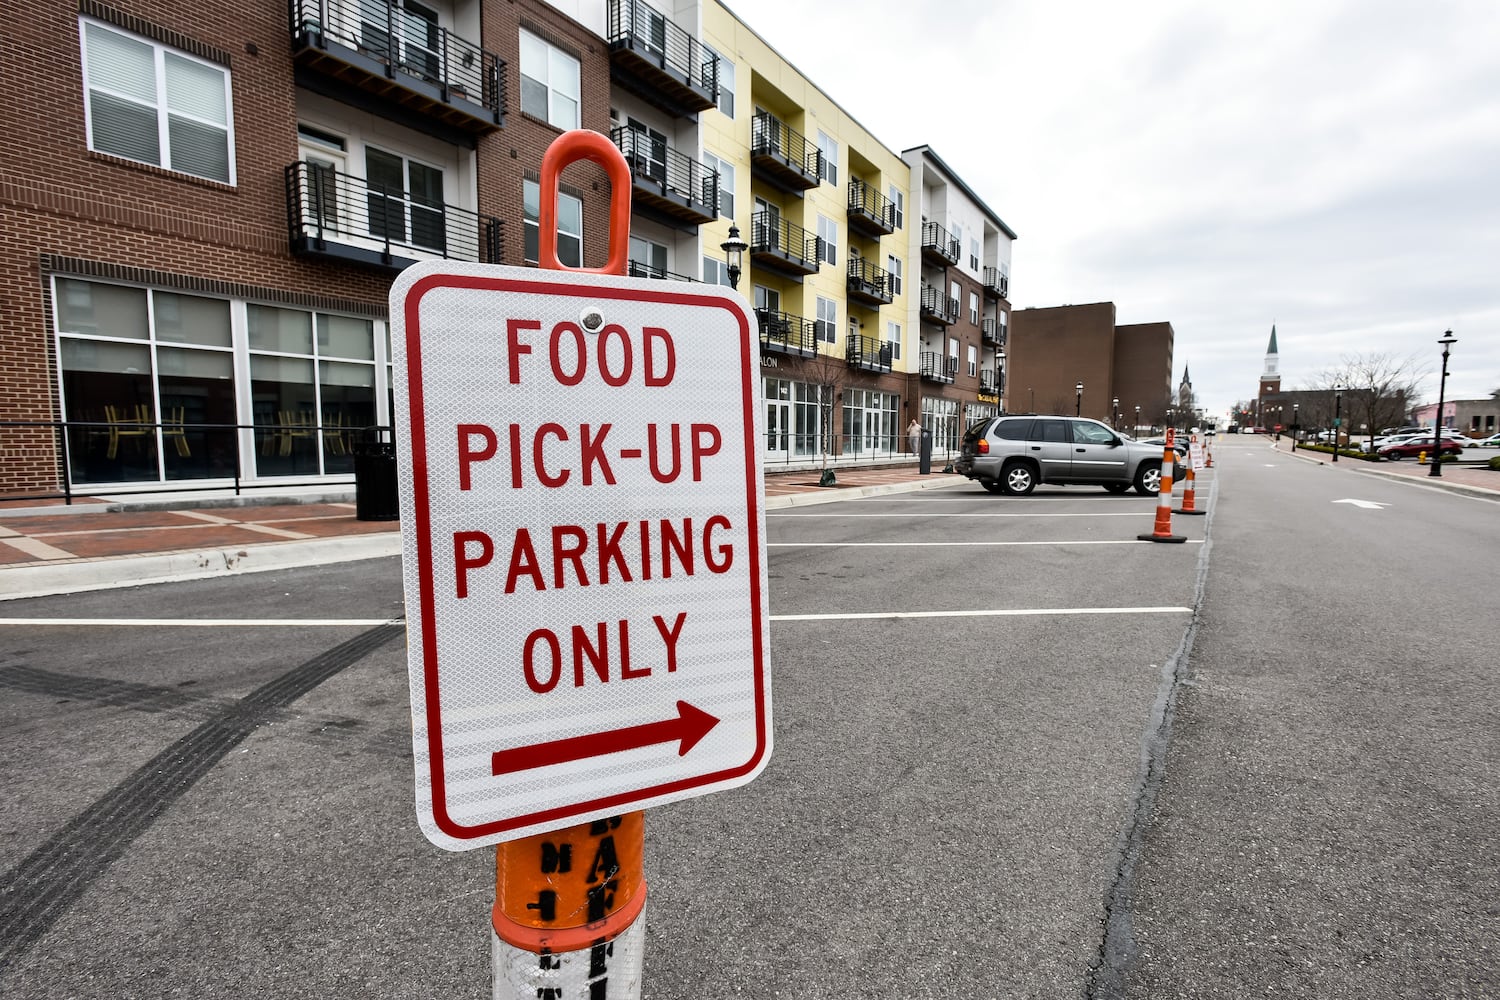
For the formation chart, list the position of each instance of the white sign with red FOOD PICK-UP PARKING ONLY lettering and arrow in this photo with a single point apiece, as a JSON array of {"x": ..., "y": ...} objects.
[{"x": 584, "y": 545}]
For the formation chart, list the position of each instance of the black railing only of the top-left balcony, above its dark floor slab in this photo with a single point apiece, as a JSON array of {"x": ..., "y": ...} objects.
[{"x": 407, "y": 43}]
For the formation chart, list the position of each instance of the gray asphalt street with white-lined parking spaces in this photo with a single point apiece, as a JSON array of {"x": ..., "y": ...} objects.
[{"x": 1018, "y": 755}]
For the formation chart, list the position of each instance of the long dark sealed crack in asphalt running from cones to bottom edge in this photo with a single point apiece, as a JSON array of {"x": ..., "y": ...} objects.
[{"x": 1108, "y": 977}]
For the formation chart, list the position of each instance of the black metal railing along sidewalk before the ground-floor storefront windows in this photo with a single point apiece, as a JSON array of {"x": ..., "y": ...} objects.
[{"x": 176, "y": 457}]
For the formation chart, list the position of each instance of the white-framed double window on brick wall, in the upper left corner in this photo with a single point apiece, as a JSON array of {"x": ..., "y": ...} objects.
[{"x": 157, "y": 106}]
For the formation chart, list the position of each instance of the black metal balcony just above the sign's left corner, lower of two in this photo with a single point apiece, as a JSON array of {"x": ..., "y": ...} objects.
[{"x": 346, "y": 218}]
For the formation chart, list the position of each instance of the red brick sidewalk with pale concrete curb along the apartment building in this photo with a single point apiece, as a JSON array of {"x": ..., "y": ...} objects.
[{"x": 107, "y": 542}]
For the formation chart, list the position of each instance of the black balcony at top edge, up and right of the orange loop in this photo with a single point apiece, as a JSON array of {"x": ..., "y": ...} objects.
[{"x": 656, "y": 59}]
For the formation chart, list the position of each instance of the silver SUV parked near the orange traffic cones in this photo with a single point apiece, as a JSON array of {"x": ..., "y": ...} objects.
[{"x": 1012, "y": 455}]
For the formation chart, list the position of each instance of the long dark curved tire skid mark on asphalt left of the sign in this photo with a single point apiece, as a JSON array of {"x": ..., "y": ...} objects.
[{"x": 46, "y": 885}]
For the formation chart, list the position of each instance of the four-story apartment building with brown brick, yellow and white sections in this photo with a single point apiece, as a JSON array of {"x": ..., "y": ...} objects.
[{"x": 202, "y": 241}]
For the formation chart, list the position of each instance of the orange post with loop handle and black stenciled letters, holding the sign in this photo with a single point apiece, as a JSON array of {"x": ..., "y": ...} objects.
[{"x": 569, "y": 903}]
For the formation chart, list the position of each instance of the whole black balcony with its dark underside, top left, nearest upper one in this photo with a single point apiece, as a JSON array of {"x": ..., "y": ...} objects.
[{"x": 398, "y": 65}]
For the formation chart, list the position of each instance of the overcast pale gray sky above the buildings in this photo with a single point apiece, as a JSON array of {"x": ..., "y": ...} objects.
[{"x": 1331, "y": 167}]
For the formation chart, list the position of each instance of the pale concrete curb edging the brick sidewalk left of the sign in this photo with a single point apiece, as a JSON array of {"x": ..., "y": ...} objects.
[{"x": 169, "y": 567}]
